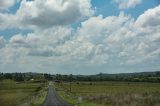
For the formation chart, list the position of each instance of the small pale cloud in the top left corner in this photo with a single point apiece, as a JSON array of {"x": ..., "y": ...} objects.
[{"x": 5, "y": 4}]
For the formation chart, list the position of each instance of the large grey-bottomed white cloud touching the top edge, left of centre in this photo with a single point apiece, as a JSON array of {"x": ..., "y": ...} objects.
[{"x": 45, "y": 14}]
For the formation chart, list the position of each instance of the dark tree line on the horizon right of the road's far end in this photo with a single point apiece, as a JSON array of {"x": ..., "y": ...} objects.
[{"x": 130, "y": 77}]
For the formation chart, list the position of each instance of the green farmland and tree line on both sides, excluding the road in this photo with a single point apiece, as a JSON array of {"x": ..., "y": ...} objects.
[{"x": 132, "y": 89}]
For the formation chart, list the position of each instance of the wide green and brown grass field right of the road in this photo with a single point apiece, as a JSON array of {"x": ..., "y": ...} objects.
[{"x": 110, "y": 93}]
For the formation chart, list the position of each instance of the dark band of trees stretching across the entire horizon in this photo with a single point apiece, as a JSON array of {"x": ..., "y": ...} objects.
[{"x": 132, "y": 77}]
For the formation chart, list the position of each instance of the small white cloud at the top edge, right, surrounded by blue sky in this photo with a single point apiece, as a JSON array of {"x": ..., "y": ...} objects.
[{"x": 124, "y": 4}]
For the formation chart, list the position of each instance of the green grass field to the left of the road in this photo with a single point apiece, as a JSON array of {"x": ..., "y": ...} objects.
[{"x": 24, "y": 93}]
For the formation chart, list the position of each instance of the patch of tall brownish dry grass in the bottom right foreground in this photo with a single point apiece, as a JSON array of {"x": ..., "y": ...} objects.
[{"x": 129, "y": 99}]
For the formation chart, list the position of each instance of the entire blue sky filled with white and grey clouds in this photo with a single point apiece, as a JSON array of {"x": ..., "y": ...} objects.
[{"x": 79, "y": 36}]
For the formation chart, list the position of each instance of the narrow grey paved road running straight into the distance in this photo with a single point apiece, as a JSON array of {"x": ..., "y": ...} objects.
[{"x": 53, "y": 99}]
